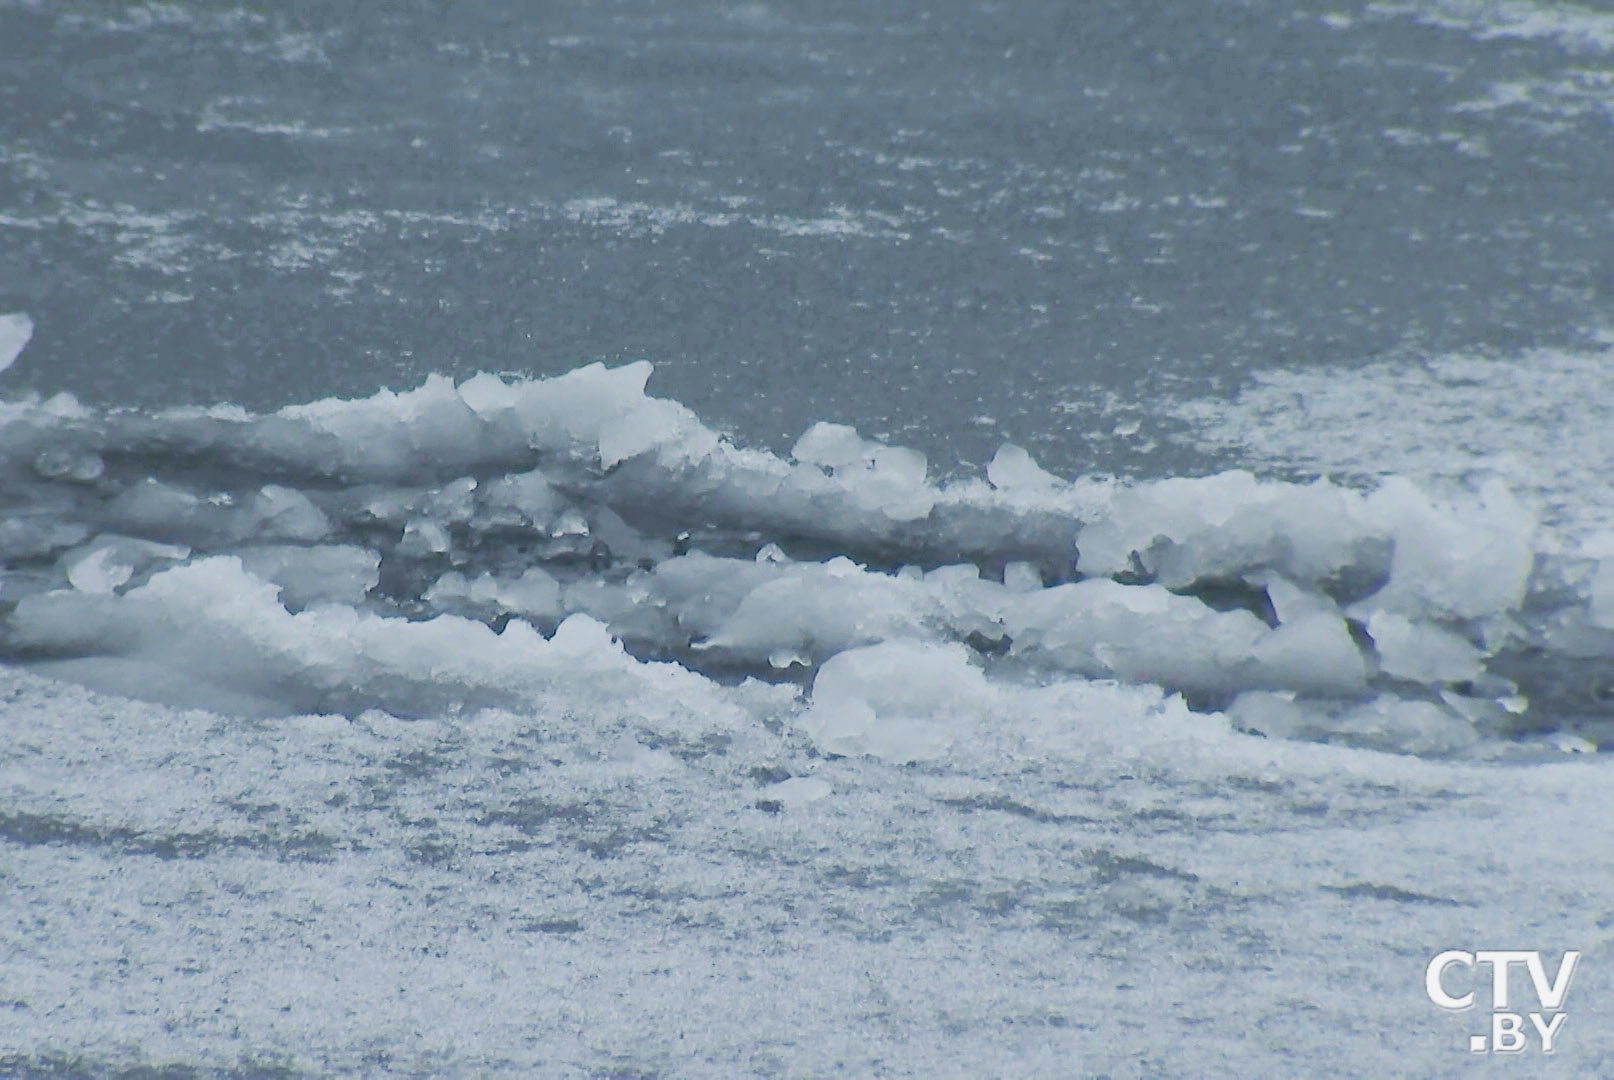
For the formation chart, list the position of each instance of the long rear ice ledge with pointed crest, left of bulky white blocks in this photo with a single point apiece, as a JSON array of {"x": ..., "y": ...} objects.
[{"x": 422, "y": 454}]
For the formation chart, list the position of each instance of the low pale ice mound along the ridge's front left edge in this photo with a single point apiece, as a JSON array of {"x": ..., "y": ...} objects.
[{"x": 214, "y": 634}]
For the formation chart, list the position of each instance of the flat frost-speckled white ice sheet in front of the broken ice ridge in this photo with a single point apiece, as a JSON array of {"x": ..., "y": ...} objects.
[{"x": 653, "y": 876}]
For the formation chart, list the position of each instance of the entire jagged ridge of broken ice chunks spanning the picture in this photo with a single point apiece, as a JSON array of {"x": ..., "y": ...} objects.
[{"x": 395, "y": 550}]
